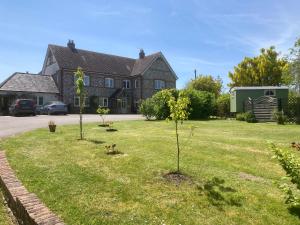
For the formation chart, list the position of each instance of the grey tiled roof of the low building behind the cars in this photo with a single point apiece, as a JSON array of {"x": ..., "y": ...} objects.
[{"x": 29, "y": 83}]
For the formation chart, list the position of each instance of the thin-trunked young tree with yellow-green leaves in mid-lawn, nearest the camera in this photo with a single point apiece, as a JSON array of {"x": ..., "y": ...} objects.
[{"x": 178, "y": 112}]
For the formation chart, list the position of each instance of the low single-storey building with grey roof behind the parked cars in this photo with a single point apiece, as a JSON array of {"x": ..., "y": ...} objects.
[{"x": 26, "y": 85}]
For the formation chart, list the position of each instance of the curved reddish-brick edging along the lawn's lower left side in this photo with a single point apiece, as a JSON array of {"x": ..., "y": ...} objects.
[{"x": 26, "y": 207}]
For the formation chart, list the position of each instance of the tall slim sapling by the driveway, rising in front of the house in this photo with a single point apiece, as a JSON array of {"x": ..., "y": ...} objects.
[{"x": 81, "y": 94}]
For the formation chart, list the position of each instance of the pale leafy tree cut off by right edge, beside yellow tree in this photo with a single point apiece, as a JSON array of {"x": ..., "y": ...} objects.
[{"x": 295, "y": 65}]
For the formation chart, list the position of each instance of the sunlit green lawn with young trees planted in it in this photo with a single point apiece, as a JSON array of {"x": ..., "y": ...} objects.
[{"x": 82, "y": 184}]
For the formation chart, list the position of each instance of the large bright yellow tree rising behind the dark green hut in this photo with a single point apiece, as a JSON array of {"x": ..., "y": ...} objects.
[{"x": 267, "y": 69}]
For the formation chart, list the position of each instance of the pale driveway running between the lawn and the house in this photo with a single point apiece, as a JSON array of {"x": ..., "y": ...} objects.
[{"x": 14, "y": 125}]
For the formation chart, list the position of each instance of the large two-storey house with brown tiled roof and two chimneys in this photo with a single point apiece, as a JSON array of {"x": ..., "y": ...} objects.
[{"x": 116, "y": 82}]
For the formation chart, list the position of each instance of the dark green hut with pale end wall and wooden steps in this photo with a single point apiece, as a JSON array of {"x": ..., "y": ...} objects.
[{"x": 260, "y": 100}]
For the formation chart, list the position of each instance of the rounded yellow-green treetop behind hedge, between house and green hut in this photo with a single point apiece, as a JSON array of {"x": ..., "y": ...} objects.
[{"x": 207, "y": 83}]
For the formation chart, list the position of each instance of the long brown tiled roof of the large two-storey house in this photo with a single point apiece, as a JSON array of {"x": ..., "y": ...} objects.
[{"x": 99, "y": 62}]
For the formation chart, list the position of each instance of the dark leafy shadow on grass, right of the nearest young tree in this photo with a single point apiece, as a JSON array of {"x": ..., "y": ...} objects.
[{"x": 220, "y": 195}]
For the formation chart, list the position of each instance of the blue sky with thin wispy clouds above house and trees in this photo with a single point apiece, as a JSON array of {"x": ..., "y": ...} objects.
[{"x": 210, "y": 36}]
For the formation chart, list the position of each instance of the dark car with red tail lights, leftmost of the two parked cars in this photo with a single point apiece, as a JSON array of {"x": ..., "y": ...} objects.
[{"x": 23, "y": 107}]
